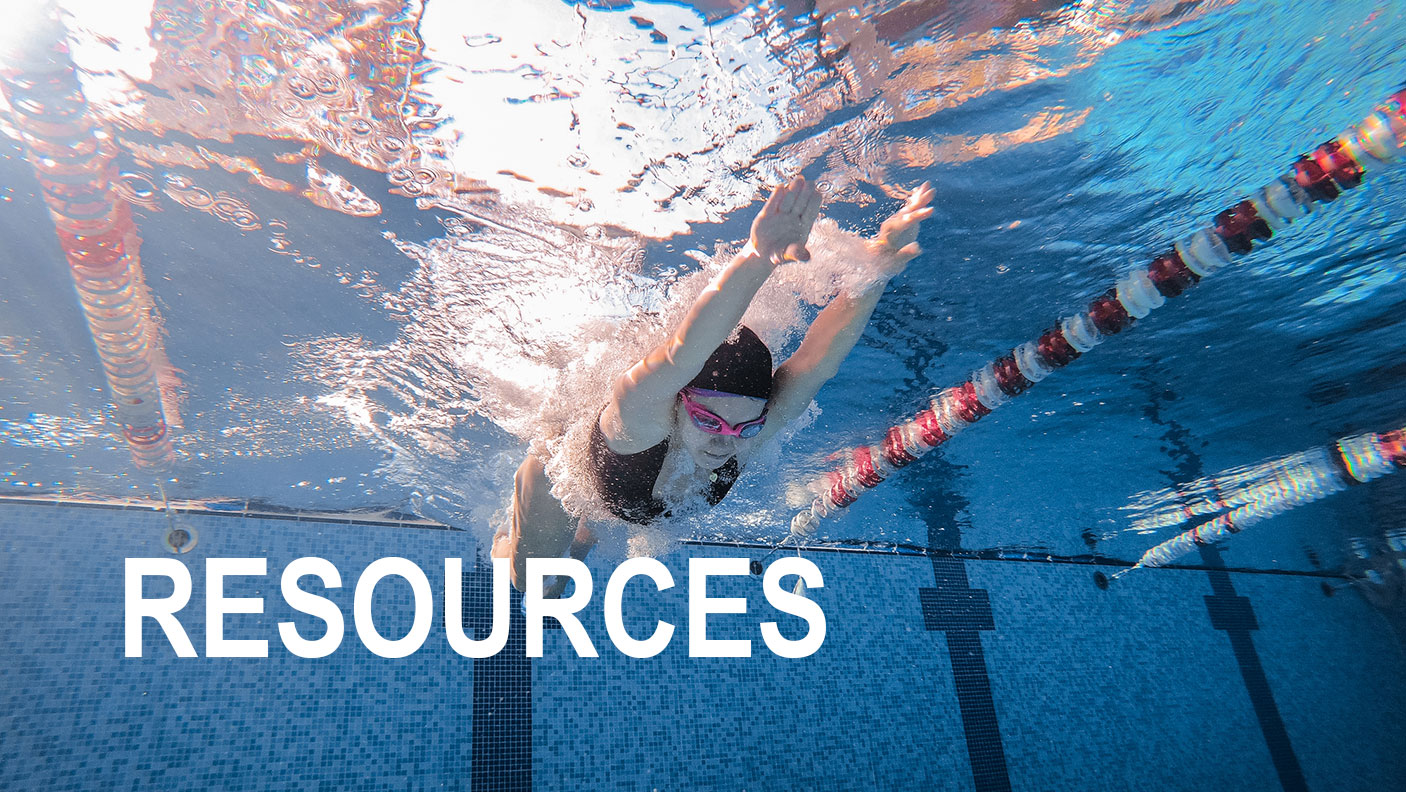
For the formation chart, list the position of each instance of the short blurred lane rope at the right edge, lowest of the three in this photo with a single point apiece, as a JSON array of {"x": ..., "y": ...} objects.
[{"x": 1314, "y": 476}]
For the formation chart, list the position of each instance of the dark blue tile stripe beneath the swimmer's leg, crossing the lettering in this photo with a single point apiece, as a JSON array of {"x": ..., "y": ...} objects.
[{"x": 503, "y": 694}]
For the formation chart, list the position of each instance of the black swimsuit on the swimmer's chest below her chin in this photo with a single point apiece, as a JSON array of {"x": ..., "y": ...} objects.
[{"x": 626, "y": 482}]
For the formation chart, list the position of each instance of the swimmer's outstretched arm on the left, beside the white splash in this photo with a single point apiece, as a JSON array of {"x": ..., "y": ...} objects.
[{"x": 640, "y": 413}]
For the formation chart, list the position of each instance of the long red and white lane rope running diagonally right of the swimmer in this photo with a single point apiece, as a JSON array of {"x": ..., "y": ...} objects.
[{"x": 1317, "y": 178}]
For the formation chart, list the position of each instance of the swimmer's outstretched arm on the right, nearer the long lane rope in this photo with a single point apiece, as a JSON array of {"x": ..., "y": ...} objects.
[{"x": 836, "y": 331}]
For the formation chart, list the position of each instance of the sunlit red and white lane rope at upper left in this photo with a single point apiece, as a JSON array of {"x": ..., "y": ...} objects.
[{"x": 74, "y": 164}]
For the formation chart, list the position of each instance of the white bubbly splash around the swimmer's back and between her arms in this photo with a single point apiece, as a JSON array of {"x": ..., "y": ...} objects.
[{"x": 518, "y": 326}]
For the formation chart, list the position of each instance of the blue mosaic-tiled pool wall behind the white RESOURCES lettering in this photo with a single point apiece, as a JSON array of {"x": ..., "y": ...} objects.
[{"x": 936, "y": 675}]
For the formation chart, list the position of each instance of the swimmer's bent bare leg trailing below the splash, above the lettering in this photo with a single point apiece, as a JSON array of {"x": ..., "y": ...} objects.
[{"x": 541, "y": 528}]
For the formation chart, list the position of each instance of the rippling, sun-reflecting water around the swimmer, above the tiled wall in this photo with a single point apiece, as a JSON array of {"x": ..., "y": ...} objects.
[{"x": 376, "y": 236}]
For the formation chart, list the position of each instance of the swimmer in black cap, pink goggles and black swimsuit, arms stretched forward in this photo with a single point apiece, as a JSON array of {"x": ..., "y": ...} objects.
[{"x": 683, "y": 424}]
